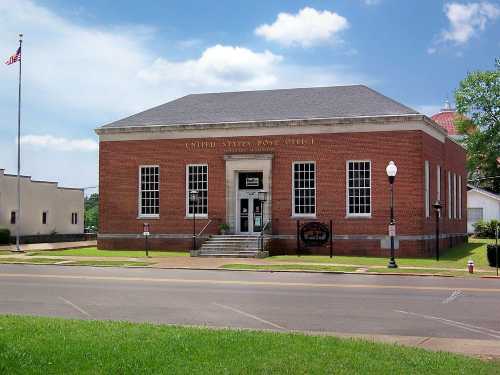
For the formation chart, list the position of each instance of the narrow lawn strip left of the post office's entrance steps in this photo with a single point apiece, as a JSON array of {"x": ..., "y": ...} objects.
[{"x": 94, "y": 252}]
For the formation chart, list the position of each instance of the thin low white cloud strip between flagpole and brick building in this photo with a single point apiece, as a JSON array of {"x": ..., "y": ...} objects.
[{"x": 59, "y": 143}]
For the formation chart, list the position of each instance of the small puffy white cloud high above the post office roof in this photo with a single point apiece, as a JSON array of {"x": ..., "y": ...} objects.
[{"x": 306, "y": 28}]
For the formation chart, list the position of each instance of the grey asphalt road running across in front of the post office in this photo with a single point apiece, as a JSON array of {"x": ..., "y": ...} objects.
[{"x": 366, "y": 304}]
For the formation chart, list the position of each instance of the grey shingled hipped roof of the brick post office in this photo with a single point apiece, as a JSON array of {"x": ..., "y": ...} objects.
[{"x": 268, "y": 105}]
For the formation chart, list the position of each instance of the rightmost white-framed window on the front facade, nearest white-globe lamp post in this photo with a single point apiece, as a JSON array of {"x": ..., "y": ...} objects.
[{"x": 358, "y": 188}]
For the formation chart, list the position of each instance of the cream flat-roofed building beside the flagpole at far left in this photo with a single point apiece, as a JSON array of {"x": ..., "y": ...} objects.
[{"x": 46, "y": 209}]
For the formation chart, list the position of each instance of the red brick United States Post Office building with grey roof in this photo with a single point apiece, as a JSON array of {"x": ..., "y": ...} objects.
[{"x": 319, "y": 153}]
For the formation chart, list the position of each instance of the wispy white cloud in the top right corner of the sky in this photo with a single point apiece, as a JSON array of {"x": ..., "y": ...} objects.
[{"x": 467, "y": 20}]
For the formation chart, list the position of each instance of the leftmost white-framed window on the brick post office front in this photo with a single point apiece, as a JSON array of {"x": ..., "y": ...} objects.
[{"x": 149, "y": 191}]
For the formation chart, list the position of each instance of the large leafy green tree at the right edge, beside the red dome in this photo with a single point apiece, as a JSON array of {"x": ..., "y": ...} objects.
[{"x": 478, "y": 101}]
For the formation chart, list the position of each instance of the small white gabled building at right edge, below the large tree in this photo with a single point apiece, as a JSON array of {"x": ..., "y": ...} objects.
[{"x": 481, "y": 205}]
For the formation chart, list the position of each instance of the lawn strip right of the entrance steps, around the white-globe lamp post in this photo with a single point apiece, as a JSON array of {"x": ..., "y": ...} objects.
[{"x": 456, "y": 257}]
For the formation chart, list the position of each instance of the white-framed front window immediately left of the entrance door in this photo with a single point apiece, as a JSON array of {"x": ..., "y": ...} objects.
[{"x": 197, "y": 179}]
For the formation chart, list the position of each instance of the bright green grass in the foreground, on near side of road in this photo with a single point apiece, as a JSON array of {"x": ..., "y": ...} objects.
[{"x": 55, "y": 346}]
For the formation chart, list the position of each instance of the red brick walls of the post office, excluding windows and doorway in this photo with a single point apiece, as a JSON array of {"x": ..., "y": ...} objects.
[{"x": 119, "y": 163}]
